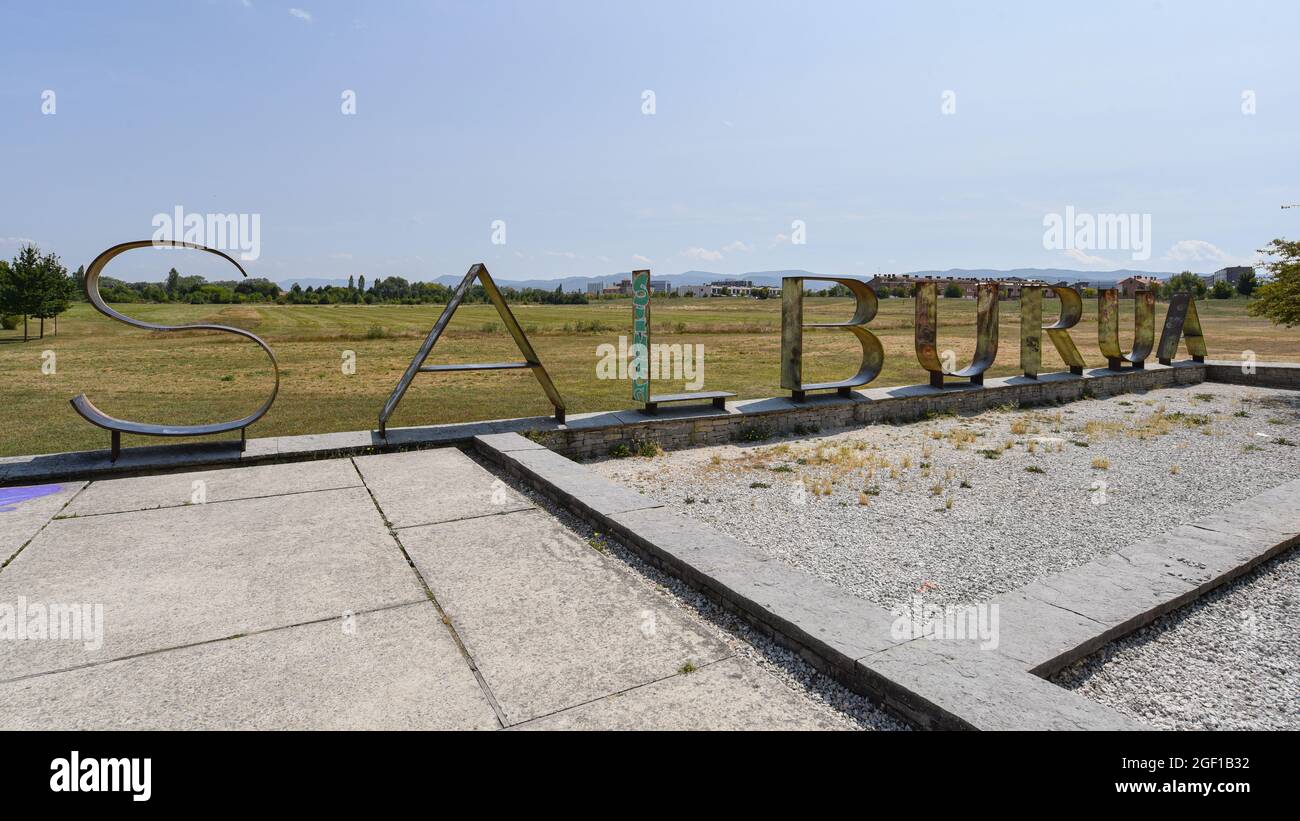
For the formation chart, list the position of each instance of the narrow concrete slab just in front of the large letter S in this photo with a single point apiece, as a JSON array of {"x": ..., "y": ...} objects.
[{"x": 181, "y": 489}]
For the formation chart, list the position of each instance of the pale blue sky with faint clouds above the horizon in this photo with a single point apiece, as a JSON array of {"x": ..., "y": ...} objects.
[{"x": 532, "y": 112}]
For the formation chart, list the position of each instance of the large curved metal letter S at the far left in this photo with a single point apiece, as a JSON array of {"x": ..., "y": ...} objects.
[{"x": 93, "y": 415}]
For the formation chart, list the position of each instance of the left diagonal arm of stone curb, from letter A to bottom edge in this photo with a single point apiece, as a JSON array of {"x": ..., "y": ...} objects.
[{"x": 934, "y": 685}]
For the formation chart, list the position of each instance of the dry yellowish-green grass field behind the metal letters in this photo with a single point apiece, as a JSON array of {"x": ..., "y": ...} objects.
[{"x": 203, "y": 377}]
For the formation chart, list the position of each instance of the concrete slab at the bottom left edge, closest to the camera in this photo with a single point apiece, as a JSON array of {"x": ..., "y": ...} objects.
[{"x": 398, "y": 670}]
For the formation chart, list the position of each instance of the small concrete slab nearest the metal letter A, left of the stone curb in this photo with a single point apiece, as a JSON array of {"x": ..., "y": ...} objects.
[{"x": 424, "y": 488}]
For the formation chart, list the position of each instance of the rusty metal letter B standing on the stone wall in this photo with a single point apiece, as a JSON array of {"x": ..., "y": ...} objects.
[{"x": 792, "y": 337}]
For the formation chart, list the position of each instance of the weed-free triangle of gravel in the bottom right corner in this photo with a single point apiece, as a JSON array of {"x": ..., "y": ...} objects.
[{"x": 1228, "y": 662}]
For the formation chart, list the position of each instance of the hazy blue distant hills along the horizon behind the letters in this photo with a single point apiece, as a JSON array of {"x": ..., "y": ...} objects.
[{"x": 774, "y": 277}]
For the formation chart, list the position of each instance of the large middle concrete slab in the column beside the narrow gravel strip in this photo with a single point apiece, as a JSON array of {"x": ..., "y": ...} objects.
[{"x": 551, "y": 622}]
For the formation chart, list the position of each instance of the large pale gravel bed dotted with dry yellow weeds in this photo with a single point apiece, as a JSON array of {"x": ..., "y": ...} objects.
[{"x": 967, "y": 509}]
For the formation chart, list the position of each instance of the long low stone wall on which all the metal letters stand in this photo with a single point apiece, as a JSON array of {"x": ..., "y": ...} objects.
[{"x": 593, "y": 435}]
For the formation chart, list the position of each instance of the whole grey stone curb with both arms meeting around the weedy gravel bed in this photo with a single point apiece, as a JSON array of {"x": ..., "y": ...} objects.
[{"x": 931, "y": 684}]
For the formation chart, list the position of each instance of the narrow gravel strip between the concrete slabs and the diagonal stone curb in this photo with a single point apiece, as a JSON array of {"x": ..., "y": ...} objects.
[{"x": 826, "y": 696}]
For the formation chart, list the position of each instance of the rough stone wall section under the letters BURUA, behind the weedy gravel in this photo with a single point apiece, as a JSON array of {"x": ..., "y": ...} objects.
[{"x": 595, "y": 436}]
